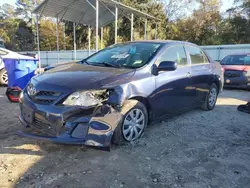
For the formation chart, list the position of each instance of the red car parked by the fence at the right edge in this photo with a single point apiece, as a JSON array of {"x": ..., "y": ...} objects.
[{"x": 237, "y": 70}]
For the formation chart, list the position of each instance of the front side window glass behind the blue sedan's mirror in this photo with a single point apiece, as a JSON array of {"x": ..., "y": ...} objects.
[{"x": 174, "y": 53}]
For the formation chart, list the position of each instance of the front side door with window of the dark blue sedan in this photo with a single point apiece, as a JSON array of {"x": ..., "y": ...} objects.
[{"x": 173, "y": 88}]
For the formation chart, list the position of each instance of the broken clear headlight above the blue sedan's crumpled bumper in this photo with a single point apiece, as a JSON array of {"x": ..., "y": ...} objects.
[{"x": 86, "y": 98}]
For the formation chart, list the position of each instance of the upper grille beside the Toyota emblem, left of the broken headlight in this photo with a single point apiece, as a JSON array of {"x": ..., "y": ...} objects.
[{"x": 45, "y": 97}]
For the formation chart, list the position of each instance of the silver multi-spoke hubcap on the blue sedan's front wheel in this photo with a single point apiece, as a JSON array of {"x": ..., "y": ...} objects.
[{"x": 133, "y": 125}]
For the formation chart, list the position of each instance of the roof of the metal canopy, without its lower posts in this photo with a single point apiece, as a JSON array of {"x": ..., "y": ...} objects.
[{"x": 84, "y": 11}]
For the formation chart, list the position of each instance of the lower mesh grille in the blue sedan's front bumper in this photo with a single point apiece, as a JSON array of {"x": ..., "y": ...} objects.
[{"x": 43, "y": 128}]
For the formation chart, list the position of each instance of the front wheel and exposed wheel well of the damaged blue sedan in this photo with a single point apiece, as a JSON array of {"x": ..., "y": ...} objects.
[{"x": 130, "y": 107}]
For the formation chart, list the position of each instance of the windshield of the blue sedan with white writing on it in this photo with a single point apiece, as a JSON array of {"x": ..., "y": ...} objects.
[{"x": 127, "y": 55}]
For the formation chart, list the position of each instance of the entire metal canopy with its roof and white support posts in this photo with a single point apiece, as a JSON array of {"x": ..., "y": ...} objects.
[{"x": 87, "y": 12}]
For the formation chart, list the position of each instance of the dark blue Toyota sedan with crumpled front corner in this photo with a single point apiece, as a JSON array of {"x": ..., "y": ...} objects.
[{"x": 111, "y": 96}]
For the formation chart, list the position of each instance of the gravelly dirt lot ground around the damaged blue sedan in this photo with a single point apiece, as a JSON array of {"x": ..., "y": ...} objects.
[{"x": 196, "y": 149}]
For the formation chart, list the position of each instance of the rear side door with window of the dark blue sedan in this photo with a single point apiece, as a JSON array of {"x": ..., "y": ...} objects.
[{"x": 201, "y": 69}]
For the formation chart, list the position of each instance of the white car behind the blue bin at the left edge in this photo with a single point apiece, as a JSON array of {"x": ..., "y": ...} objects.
[{"x": 4, "y": 53}]
